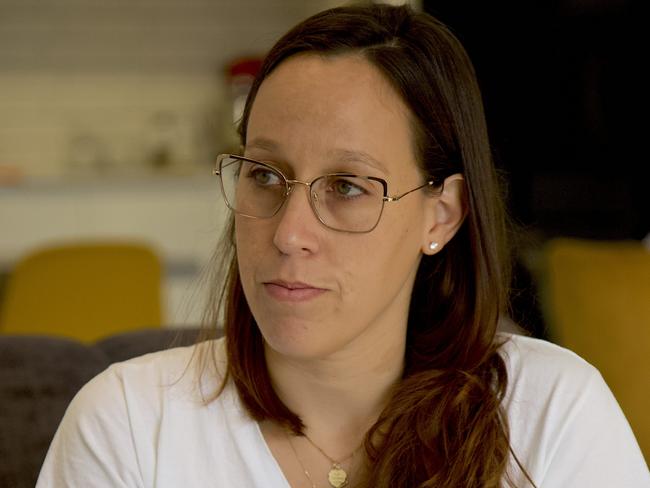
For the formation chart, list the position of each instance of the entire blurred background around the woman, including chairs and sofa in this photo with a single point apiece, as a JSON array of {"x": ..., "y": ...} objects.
[{"x": 112, "y": 113}]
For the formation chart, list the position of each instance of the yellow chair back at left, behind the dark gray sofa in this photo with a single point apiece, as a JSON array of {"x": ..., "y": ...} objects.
[{"x": 83, "y": 291}]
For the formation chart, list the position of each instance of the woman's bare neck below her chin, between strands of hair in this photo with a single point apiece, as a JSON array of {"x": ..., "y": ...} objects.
[{"x": 338, "y": 397}]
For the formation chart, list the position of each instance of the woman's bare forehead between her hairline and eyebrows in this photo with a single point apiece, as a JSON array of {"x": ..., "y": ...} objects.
[{"x": 313, "y": 107}]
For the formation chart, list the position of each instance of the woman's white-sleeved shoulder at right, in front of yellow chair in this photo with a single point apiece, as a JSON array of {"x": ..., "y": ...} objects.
[{"x": 565, "y": 425}]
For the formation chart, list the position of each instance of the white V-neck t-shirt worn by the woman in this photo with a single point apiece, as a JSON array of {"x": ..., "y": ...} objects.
[{"x": 137, "y": 425}]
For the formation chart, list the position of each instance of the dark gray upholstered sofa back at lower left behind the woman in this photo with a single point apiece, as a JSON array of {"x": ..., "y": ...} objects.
[{"x": 39, "y": 375}]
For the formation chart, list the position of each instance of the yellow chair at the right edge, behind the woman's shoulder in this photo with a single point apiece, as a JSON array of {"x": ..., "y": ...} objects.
[{"x": 596, "y": 298}]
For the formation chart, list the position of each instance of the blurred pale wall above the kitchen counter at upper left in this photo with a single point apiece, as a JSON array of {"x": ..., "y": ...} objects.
[{"x": 82, "y": 80}]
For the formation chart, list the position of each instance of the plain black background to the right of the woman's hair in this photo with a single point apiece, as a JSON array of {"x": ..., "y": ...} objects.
[{"x": 563, "y": 89}]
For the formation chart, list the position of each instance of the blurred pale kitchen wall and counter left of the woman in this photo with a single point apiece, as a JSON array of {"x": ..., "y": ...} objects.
[{"x": 111, "y": 114}]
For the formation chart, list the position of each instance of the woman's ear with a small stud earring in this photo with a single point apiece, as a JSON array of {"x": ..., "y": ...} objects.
[{"x": 445, "y": 214}]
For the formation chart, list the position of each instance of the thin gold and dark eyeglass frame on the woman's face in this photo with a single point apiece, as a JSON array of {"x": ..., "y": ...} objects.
[{"x": 290, "y": 183}]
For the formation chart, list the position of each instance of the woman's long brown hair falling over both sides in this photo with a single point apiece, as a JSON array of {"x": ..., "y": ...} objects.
[{"x": 443, "y": 425}]
